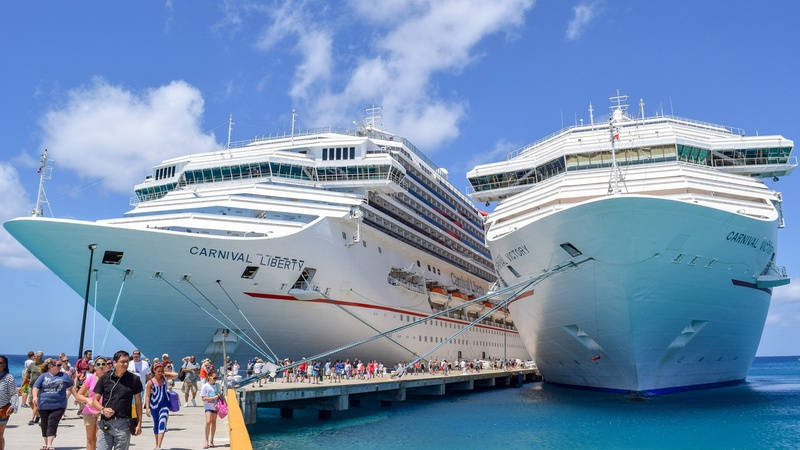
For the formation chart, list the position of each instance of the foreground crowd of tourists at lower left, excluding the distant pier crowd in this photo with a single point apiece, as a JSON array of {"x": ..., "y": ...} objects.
[{"x": 107, "y": 393}]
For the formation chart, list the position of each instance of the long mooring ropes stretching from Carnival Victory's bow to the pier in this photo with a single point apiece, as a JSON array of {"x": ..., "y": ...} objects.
[{"x": 515, "y": 289}]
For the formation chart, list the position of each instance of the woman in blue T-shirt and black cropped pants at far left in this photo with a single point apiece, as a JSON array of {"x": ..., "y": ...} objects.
[{"x": 50, "y": 396}]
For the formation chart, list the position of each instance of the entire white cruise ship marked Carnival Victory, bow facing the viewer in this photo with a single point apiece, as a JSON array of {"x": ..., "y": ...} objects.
[{"x": 679, "y": 230}]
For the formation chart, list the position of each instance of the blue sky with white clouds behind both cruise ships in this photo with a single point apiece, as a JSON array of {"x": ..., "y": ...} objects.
[{"x": 113, "y": 89}]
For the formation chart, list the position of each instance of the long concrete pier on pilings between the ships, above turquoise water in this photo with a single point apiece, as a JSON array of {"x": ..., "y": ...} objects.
[{"x": 328, "y": 397}]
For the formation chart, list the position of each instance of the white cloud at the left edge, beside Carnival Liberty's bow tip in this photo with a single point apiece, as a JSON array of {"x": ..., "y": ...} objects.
[{"x": 13, "y": 203}]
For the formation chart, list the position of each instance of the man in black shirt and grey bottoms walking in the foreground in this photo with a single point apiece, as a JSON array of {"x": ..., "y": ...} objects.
[{"x": 118, "y": 388}]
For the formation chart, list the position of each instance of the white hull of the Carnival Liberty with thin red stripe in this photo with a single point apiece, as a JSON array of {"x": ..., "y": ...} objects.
[{"x": 157, "y": 318}]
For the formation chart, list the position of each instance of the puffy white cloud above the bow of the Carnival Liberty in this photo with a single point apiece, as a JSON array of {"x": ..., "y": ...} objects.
[{"x": 109, "y": 133}]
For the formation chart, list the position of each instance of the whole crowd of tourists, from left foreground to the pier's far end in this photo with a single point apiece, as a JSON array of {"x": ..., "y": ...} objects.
[{"x": 108, "y": 391}]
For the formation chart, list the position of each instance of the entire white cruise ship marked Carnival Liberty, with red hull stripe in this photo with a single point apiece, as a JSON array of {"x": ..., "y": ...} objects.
[{"x": 296, "y": 245}]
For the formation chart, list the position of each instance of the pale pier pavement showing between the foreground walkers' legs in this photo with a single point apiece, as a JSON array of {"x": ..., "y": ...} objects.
[{"x": 185, "y": 430}]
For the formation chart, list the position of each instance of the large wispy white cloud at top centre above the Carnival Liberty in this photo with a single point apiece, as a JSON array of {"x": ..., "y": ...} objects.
[{"x": 414, "y": 40}]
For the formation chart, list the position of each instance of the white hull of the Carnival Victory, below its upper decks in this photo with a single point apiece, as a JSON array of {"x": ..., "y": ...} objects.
[{"x": 639, "y": 317}]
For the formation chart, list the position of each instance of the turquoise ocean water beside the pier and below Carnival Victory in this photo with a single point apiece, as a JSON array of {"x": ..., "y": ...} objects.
[{"x": 764, "y": 412}]
